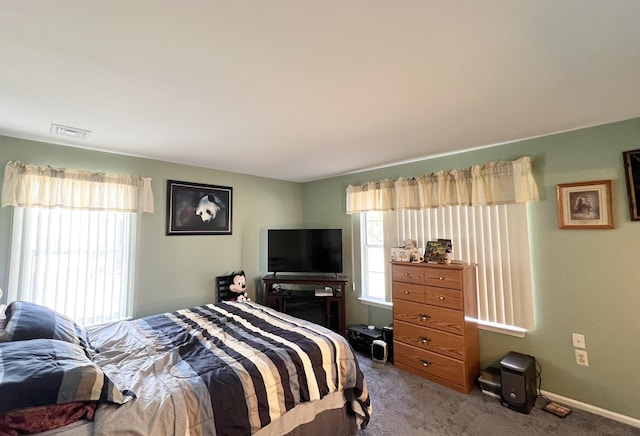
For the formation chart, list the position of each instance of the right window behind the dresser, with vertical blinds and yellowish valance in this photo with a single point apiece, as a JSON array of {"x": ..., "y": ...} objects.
[{"x": 492, "y": 232}]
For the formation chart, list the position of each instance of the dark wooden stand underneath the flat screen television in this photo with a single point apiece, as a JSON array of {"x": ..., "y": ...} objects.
[{"x": 333, "y": 305}]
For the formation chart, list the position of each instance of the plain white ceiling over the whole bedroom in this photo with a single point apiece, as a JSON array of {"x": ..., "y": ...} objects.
[{"x": 302, "y": 90}]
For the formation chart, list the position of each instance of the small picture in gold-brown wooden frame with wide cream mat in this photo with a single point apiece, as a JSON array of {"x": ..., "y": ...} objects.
[{"x": 586, "y": 205}]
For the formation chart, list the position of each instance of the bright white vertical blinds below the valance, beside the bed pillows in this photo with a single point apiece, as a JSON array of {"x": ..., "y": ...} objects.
[{"x": 77, "y": 262}]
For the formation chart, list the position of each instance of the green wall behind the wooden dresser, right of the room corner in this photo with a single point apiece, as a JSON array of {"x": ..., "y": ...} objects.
[{"x": 585, "y": 281}]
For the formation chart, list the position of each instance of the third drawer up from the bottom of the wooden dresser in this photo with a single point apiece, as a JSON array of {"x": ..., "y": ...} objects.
[{"x": 439, "y": 318}]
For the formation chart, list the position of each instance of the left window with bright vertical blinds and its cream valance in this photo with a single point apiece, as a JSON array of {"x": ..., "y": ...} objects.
[{"x": 73, "y": 239}]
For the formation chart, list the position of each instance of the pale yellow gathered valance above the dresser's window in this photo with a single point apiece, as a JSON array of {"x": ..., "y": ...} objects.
[{"x": 492, "y": 183}]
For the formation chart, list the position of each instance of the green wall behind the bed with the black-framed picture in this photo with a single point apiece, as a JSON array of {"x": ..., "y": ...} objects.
[{"x": 176, "y": 271}]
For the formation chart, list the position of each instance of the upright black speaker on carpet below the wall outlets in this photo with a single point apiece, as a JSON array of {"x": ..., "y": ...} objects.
[{"x": 518, "y": 377}]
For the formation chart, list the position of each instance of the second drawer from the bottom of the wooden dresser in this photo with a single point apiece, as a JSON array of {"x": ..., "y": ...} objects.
[{"x": 429, "y": 339}]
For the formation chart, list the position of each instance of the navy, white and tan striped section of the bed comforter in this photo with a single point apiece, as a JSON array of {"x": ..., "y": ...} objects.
[{"x": 203, "y": 334}]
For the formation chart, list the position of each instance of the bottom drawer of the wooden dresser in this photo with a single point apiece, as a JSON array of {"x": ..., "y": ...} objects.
[{"x": 429, "y": 363}]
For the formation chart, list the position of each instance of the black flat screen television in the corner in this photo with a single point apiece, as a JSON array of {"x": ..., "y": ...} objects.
[{"x": 305, "y": 250}]
